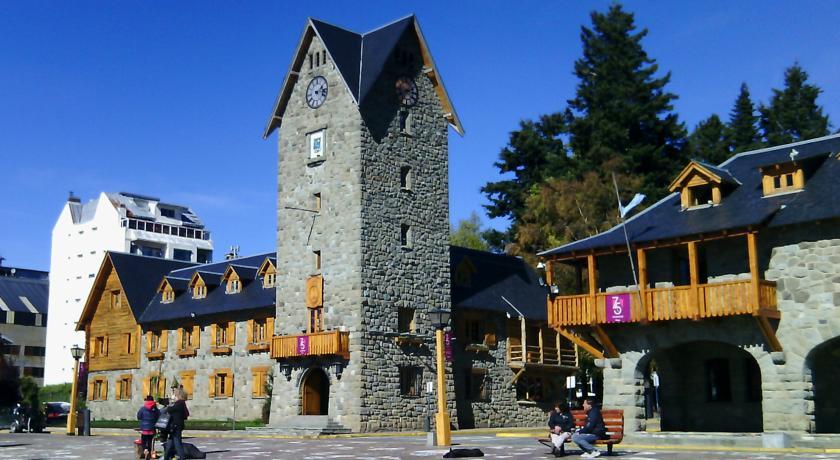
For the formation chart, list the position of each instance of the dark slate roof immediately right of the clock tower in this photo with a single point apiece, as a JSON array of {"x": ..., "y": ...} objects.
[{"x": 480, "y": 279}]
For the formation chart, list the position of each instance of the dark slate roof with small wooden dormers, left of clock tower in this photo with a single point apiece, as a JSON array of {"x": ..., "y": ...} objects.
[{"x": 252, "y": 296}]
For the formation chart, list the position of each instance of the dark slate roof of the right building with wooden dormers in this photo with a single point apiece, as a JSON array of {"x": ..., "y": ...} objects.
[{"x": 742, "y": 206}]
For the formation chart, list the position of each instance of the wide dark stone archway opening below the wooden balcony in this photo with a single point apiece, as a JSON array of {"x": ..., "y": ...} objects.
[{"x": 707, "y": 386}]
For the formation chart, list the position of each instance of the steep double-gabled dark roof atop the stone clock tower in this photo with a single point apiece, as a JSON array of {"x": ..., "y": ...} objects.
[{"x": 360, "y": 59}]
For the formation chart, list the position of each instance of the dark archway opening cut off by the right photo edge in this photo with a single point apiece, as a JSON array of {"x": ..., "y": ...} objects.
[{"x": 825, "y": 375}]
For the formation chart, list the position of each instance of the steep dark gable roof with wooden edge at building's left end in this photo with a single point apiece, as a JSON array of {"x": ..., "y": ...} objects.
[{"x": 139, "y": 277}]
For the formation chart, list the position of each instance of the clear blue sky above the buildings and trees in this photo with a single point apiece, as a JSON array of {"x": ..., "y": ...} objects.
[{"x": 170, "y": 98}]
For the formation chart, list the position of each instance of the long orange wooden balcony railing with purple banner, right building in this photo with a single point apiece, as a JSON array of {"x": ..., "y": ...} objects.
[{"x": 663, "y": 304}]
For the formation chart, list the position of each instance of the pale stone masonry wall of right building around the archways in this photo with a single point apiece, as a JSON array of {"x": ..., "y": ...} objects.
[{"x": 805, "y": 262}]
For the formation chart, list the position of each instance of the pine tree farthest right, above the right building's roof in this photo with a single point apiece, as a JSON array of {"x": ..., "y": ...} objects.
[{"x": 793, "y": 114}]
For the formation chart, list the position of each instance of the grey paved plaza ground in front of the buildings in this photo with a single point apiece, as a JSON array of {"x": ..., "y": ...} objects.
[{"x": 45, "y": 446}]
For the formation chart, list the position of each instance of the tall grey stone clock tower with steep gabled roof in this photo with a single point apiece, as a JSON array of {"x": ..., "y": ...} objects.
[{"x": 362, "y": 228}]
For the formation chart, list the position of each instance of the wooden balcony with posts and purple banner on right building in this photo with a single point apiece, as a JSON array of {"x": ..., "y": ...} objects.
[{"x": 688, "y": 279}]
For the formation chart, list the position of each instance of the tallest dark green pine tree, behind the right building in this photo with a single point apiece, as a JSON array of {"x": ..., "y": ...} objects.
[{"x": 621, "y": 109}]
